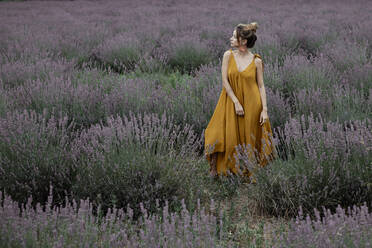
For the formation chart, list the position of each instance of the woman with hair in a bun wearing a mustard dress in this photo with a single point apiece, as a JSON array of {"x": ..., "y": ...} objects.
[{"x": 240, "y": 116}]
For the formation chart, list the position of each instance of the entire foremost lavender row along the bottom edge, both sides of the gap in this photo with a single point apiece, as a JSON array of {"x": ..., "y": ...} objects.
[{"x": 75, "y": 225}]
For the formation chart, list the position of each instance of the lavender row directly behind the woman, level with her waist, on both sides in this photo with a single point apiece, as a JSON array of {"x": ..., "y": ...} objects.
[{"x": 89, "y": 96}]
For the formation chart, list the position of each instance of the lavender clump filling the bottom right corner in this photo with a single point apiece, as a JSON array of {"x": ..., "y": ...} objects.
[{"x": 351, "y": 227}]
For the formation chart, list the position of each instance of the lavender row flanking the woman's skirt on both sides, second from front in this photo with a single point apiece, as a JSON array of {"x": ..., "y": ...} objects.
[{"x": 321, "y": 163}]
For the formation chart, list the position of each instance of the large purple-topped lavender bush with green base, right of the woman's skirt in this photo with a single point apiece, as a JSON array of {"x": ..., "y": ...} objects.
[{"x": 327, "y": 164}]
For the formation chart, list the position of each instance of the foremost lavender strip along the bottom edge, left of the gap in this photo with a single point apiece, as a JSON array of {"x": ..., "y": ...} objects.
[{"x": 74, "y": 225}]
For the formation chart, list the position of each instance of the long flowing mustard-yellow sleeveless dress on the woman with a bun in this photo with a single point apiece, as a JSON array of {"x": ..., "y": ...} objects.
[{"x": 226, "y": 129}]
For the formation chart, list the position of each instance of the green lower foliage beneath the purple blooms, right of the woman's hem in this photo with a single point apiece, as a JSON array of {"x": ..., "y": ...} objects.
[{"x": 284, "y": 186}]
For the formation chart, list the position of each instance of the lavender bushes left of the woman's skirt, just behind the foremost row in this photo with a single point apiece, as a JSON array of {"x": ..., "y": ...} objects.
[{"x": 126, "y": 161}]
